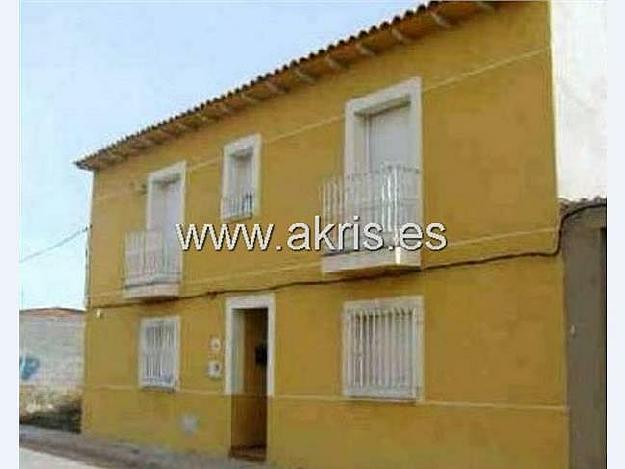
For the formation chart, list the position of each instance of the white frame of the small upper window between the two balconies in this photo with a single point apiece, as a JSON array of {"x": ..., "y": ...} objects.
[{"x": 249, "y": 143}]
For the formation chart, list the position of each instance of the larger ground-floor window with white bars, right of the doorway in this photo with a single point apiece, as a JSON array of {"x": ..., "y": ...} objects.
[{"x": 382, "y": 348}]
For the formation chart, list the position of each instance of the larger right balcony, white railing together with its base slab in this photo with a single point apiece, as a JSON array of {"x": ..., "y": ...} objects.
[{"x": 388, "y": 196}]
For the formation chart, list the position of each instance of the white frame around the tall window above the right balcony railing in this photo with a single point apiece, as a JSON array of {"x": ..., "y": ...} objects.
[{"x": 357, "y": 110}]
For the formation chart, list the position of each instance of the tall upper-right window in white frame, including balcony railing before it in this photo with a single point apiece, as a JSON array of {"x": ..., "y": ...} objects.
[{"x": 381, "y": 182}]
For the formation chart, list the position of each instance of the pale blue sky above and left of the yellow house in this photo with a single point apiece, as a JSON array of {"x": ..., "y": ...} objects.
[{"x": 92, "y": 72}]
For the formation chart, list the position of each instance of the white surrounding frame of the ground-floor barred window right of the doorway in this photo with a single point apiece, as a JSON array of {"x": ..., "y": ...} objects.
[{"x": 353, "y": 390}]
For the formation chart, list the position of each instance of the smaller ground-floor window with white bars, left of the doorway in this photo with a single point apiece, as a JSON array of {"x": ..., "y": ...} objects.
[{"x": 158, "y": 353}]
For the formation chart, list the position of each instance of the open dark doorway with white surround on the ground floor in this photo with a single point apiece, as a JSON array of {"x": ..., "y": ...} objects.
[{"x": 249, "y": 377}]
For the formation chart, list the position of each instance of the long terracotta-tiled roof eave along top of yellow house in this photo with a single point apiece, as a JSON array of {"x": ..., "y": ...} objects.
[{"x": 402, "y": 29}]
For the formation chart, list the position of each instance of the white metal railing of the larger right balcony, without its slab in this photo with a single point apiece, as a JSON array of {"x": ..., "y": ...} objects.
[{"x": 387, "y": 196}]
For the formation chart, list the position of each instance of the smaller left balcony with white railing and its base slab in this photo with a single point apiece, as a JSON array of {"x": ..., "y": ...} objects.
[{"x": 153, "y": 265}]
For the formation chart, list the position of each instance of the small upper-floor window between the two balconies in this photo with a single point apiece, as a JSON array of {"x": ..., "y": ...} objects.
[{"x": 240, "y": 192}]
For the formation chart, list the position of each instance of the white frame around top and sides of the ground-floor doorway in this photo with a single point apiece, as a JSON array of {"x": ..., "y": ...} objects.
[{"x": 233, "y": 304}]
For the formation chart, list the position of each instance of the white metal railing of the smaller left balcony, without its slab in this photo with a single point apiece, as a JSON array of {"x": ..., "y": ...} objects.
[{"x": 151, "y": 258}]
